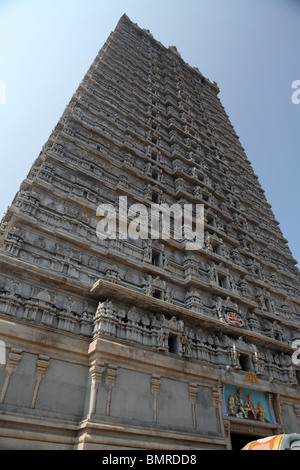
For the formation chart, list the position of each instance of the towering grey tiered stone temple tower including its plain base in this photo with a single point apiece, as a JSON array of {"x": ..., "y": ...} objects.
[{"x": 123, "y": 343}]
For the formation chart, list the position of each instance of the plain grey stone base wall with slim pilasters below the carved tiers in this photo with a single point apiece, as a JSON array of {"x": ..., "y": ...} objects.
[{"x": 59, "y": 391}]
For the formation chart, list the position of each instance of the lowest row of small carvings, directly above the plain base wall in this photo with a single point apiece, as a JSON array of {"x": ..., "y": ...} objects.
[{"x": 174, "y": 336}]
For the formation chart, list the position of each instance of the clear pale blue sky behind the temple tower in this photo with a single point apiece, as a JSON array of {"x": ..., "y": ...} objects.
[{"x": 249, "y": 47}]
